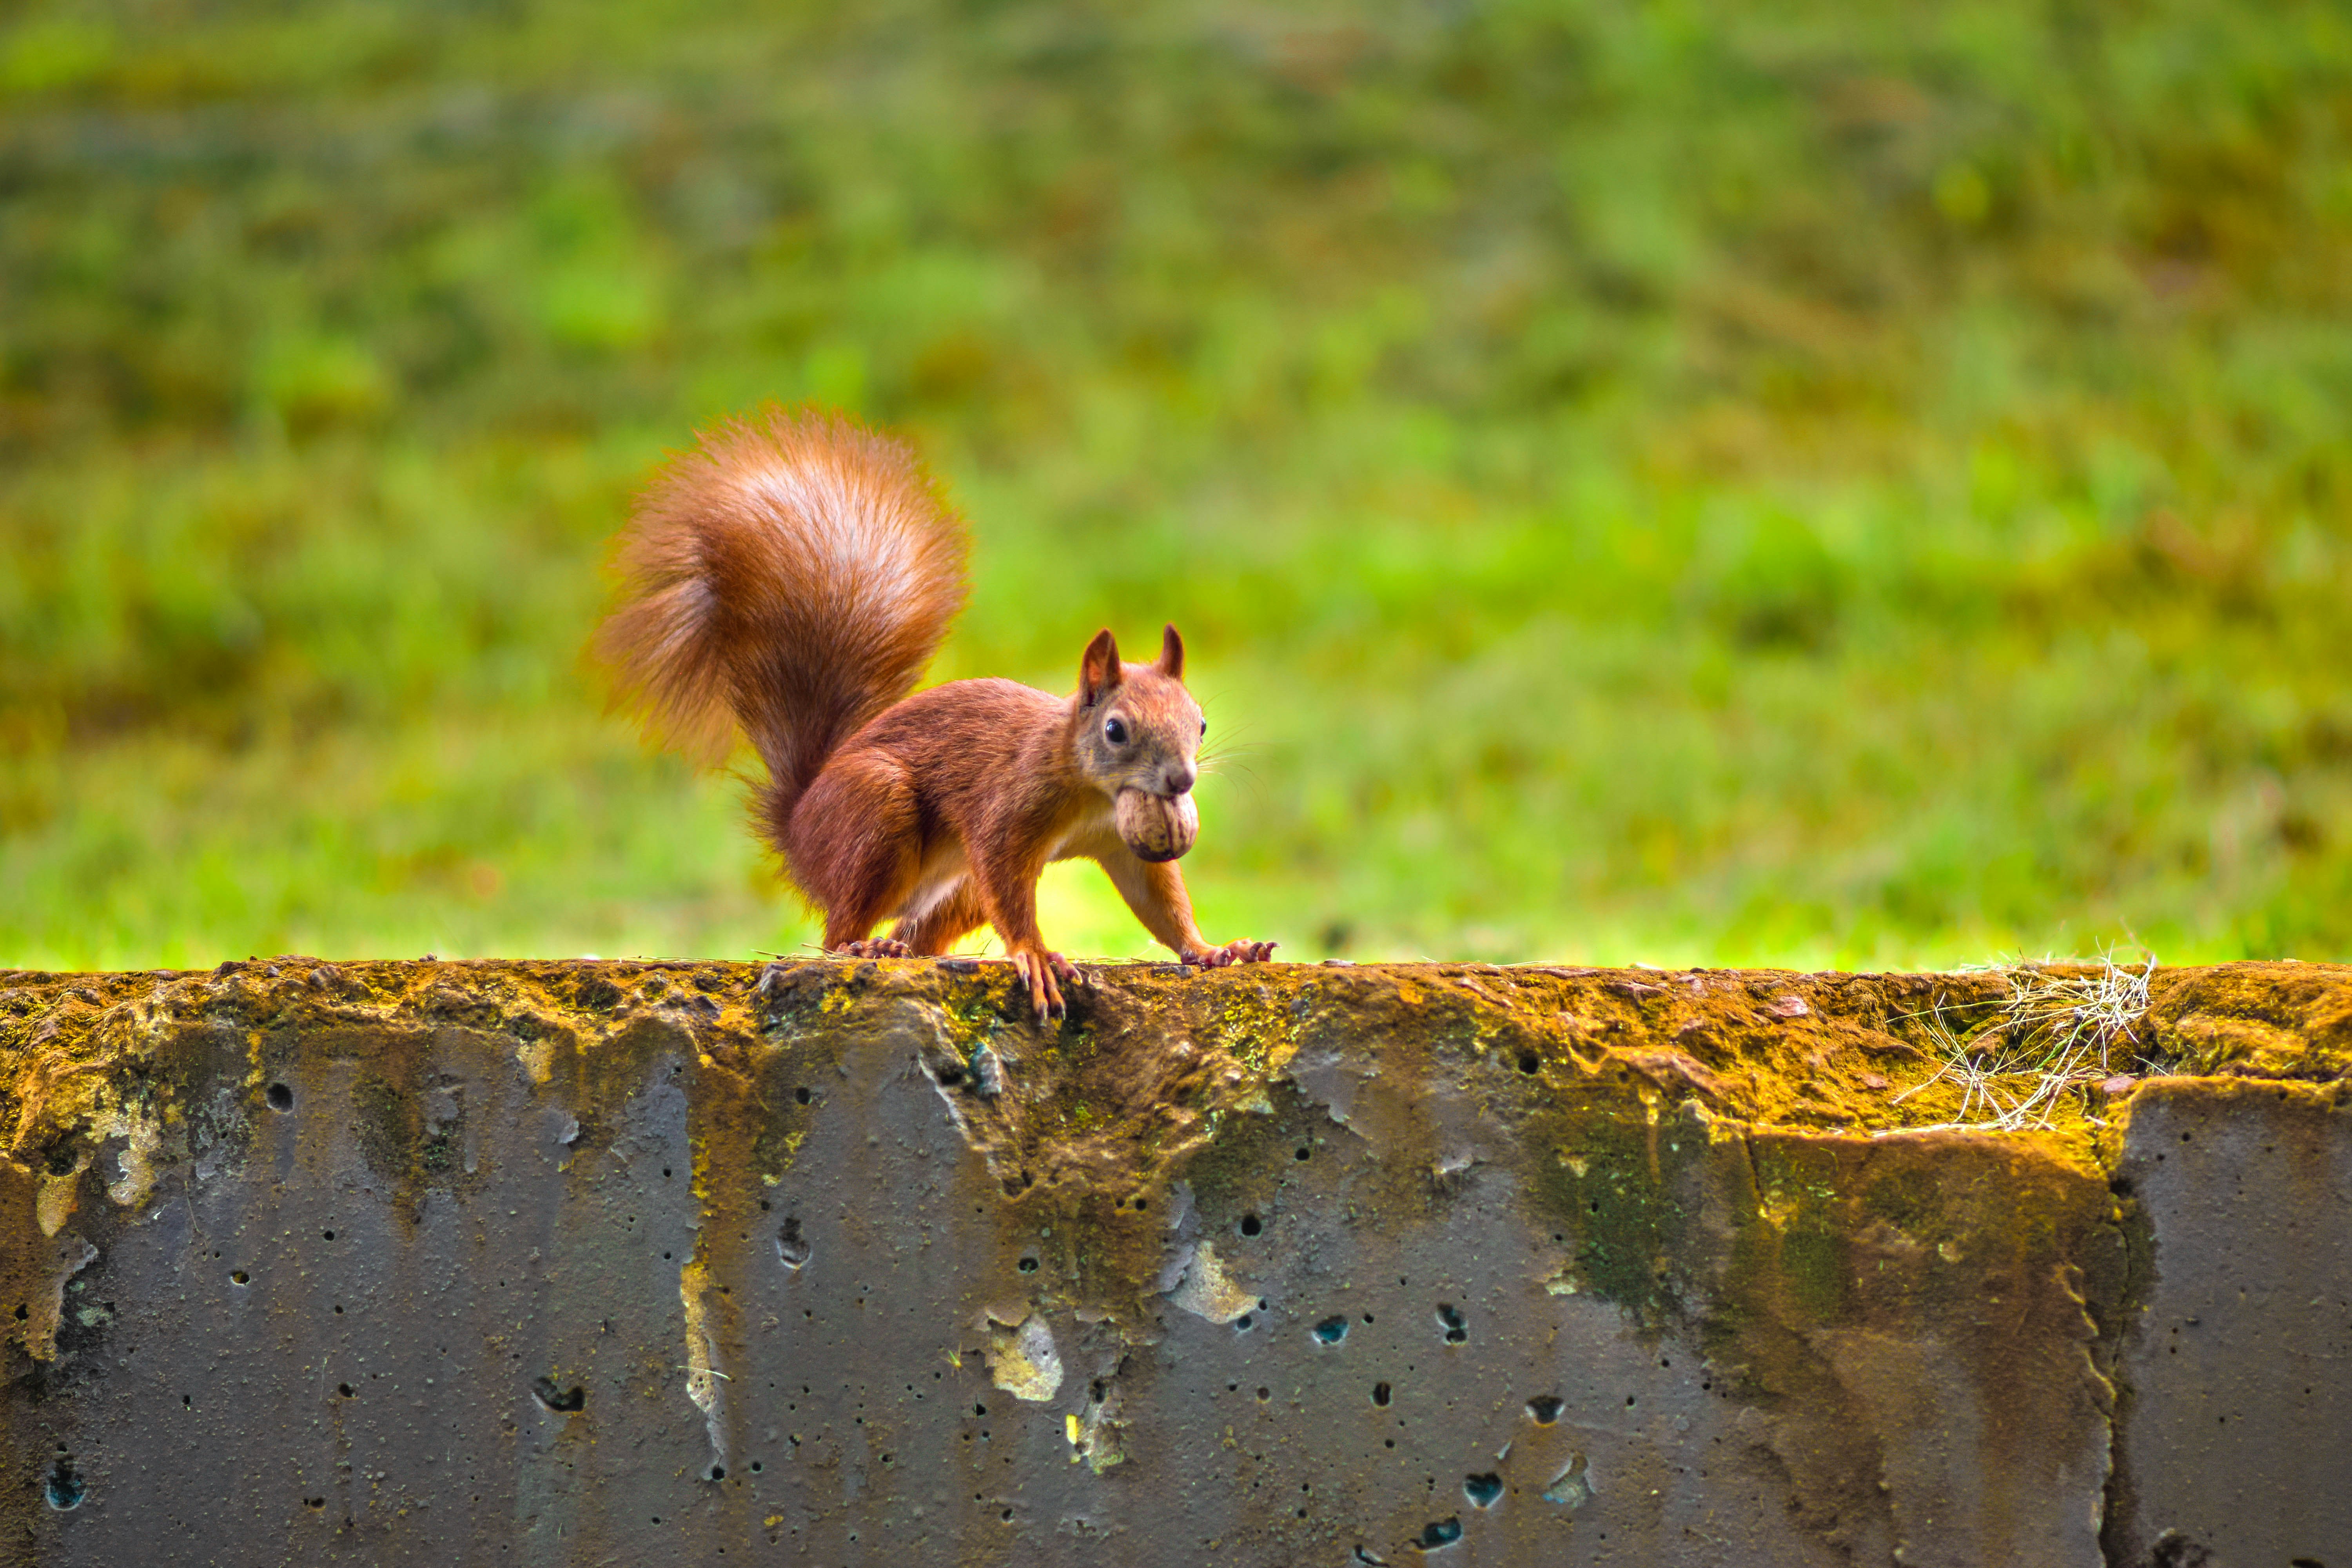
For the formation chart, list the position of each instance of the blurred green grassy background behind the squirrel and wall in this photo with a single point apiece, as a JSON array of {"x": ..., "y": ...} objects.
[{"x": 1683, "y": 483}]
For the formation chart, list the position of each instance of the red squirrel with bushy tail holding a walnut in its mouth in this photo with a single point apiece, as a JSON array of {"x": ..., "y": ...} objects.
[{"x": 794, "y": 575}]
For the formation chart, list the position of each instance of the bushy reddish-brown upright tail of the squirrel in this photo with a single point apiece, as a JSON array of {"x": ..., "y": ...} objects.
[{"x": 791, "y": 575}]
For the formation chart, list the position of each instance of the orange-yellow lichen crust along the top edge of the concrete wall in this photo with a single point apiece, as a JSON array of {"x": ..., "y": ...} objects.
[{"x": 1154, "y": 1050}]
